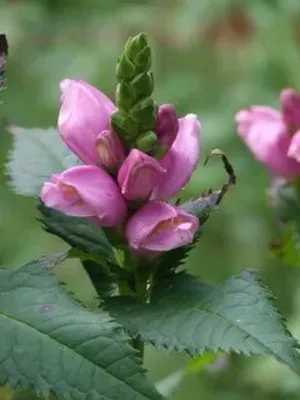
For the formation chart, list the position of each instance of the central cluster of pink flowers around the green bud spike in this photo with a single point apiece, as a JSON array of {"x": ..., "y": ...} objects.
[{"x": 111, "y": 179}]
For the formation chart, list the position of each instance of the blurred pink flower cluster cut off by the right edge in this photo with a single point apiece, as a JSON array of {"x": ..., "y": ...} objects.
[{"x": 273, "y": 136}]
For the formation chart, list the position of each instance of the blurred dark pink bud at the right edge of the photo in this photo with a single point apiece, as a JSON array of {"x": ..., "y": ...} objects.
[{"x": 290, "y": 105}]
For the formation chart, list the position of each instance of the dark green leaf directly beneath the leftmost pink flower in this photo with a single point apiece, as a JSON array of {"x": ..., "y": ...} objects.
[{"x": 79, "y": 233}]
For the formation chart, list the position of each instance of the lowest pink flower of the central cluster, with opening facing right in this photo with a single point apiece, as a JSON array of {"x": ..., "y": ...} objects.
[{"x": 158, "y": 226}]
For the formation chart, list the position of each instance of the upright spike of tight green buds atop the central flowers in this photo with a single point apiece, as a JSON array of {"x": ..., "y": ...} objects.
[{"x": 137, "y": 112}]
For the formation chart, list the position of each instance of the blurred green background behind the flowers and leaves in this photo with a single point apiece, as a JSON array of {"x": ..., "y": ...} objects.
[{"x": 211, "y": 57}]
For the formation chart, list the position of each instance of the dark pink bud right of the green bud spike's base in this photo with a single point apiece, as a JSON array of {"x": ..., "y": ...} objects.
[{"x": 167, "y": 125}]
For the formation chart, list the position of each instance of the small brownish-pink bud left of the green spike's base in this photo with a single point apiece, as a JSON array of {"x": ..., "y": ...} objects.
[{"x": 110, "y": 150}]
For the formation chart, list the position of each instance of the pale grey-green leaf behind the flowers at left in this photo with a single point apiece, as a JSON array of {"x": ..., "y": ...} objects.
[{"x": 36, "y": 155}]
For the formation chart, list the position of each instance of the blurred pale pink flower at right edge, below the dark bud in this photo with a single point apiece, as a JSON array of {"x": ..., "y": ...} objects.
[{"x": 264, "y": 131}]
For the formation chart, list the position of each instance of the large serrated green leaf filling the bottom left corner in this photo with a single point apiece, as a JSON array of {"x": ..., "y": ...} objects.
[{"x": 54, "y": 345}]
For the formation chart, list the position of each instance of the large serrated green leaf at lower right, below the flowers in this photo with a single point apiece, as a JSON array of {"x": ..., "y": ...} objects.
[{"x": 188, "y": 315}]
